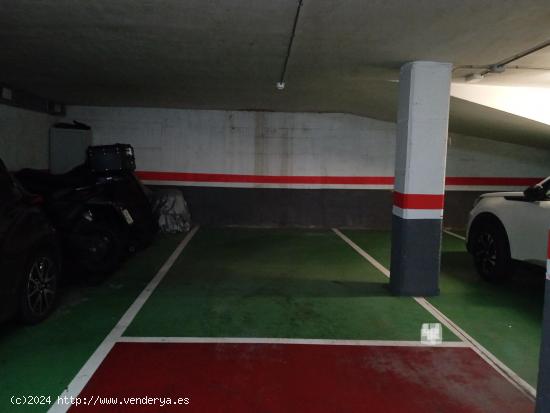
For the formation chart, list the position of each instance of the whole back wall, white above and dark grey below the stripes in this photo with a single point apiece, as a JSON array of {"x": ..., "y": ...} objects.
[{"x": 293, "y": 145}]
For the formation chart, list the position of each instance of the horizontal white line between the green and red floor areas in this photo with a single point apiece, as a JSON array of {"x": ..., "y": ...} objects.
[{"x": 261, "y": 340}]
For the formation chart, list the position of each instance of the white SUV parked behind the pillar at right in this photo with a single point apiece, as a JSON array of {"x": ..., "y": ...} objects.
[{"x": 506, "y": 226}]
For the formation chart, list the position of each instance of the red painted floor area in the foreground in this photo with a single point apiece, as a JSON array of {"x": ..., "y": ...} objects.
[{"x": 264, "y": 378}]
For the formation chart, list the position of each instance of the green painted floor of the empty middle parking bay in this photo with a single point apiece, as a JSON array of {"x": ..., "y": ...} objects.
[{"x": 277, "y": 283}]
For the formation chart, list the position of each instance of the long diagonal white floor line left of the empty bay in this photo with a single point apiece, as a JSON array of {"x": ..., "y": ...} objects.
[{"x": 86, "y": 372}]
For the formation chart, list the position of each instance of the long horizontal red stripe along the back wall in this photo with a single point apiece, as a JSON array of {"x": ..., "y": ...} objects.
[{"x": 320, "y": 180}]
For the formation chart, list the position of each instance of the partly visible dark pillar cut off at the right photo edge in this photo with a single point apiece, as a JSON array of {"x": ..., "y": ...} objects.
[{"x": 543, "y": 385}]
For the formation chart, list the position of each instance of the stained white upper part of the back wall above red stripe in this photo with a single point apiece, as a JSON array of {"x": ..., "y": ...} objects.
[{"x": 287, "y": 144}]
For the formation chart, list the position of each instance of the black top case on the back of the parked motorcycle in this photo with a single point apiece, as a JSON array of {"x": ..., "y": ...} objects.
[{"x": 111, "y": 158}]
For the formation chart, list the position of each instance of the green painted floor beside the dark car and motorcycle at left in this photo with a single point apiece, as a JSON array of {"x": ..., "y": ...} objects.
[{"x": 43, "y": 359}]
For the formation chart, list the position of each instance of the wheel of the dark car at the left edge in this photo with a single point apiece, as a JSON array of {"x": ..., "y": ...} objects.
[{"x": 39, "y": 288}]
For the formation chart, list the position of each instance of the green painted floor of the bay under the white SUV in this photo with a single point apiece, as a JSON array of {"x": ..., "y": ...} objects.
[{"x": 505, "y": 318}]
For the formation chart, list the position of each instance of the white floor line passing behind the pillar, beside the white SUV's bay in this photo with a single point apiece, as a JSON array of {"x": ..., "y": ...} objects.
[{"x": 490, "y": 358}]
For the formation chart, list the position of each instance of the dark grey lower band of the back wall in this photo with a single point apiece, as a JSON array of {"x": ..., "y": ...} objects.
[{"x": 308, "y": 207}]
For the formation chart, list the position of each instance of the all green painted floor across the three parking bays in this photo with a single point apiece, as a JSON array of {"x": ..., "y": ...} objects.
[{"x": 269, "y": 283}]
